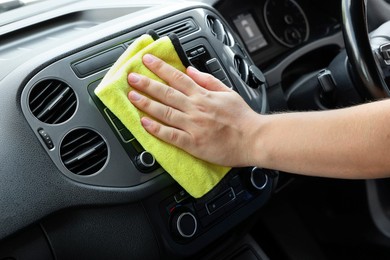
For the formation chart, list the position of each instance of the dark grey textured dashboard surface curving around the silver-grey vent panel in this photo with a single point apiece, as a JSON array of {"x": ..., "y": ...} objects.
[{"x": 32, "y": 186}]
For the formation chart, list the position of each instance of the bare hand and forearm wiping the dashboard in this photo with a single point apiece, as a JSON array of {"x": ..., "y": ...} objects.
[{"x": 199, "y": 114}]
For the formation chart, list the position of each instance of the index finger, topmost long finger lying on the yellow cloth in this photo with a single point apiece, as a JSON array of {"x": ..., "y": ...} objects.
[{"x": 170, "y": 75}]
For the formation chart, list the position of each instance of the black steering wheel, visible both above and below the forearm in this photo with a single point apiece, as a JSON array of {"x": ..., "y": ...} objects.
[{"x": 370, "y": 61}]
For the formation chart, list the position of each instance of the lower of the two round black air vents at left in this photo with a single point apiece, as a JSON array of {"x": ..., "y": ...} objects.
[{"x": 83, "y": 152}]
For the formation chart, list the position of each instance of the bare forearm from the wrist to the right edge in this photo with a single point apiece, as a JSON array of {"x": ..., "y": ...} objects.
[{"x": 344, "y": 143}]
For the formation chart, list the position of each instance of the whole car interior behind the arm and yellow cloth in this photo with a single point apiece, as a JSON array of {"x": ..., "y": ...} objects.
[{"x": 76, "y": 184}]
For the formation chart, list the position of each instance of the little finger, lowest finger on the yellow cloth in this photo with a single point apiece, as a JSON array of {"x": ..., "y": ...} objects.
[{"x": 167, "y": 134}]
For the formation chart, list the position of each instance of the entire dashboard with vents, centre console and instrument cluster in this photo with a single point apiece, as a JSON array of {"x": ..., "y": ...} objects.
[{"x": 72, "y": 182}]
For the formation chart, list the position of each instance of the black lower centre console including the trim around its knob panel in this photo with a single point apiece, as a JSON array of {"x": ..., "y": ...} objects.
[{"x": 185, "y": 225}]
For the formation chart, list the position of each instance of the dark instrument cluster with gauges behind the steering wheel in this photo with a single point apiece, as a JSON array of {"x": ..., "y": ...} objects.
[{"x": 281, "y": 27}]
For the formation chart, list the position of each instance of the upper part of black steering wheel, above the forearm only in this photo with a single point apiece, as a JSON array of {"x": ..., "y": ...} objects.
[{"x": 370, "y": 62}]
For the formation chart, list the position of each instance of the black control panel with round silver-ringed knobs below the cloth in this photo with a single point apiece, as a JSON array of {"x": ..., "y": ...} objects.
[{"x": 186, "y": 218}]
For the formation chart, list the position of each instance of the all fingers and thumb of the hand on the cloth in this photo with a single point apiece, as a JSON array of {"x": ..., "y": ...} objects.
[{"x": 172, "y": 105}]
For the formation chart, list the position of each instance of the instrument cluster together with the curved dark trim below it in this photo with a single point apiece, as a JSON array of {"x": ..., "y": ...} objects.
[{"x": 297, "y": 38}]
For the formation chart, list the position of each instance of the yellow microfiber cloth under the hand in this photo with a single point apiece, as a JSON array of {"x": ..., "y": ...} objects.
[{"x": 196, "y": 176}]
